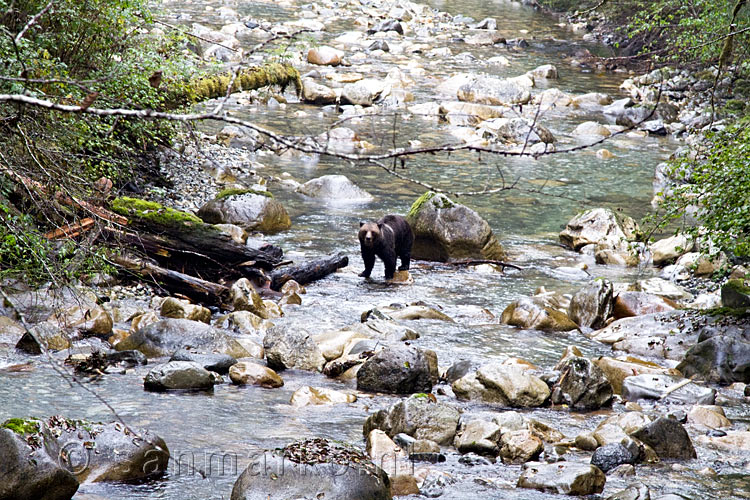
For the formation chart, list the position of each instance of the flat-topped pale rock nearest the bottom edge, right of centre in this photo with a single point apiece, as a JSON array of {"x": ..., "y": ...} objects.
[{"x": 565, "y": 478}]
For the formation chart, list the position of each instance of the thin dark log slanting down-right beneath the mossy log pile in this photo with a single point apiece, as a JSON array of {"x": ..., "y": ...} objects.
[{"x": 202, "y": 291}]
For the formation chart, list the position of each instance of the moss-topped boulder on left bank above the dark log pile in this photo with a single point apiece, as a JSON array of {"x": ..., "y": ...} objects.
[{"x": 248, "y": 209}]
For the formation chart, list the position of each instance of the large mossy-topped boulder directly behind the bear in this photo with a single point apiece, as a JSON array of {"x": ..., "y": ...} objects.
[{"x": 446, "y": 231}]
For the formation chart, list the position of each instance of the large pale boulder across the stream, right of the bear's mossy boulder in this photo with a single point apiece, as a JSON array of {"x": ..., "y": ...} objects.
[{"x": 599, "y": 225}]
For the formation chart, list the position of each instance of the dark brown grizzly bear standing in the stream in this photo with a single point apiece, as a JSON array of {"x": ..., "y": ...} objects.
[{"x": 388, "y": 238}]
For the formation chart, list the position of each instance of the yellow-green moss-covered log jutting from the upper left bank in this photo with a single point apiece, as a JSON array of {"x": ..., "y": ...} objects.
[{"x": 215, "y": 86}]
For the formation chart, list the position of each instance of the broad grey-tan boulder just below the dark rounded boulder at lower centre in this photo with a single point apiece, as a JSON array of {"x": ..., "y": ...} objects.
[{"x": 418, "y": 417}]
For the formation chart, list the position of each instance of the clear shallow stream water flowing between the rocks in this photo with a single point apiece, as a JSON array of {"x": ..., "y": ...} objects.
[{"x": 232, "y": 422}]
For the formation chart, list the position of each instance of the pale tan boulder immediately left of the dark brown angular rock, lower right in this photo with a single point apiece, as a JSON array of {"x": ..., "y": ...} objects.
[{"x": 505, "y": 384}]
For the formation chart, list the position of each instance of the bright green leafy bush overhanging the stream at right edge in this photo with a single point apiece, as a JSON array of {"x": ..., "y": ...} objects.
[{"x": 717, "y": 189}]
